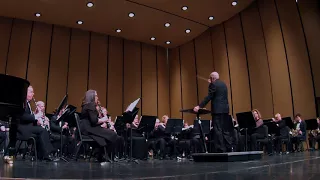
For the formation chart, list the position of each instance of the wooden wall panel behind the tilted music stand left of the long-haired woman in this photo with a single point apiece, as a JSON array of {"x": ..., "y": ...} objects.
[{"x": 58, "y": 72}]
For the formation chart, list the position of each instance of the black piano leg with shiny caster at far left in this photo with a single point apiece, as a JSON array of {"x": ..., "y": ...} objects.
[{"x": 11, "y": 148}]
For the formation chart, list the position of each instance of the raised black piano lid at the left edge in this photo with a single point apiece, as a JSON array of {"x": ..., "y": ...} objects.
[{"x": 13, "y": 94}]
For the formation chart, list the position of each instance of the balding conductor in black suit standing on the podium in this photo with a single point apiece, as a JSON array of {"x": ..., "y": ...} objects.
[{"x": 218, "y": 95}]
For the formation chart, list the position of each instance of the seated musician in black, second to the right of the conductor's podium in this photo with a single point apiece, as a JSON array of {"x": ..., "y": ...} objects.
[{"x": 283, "y": 132}]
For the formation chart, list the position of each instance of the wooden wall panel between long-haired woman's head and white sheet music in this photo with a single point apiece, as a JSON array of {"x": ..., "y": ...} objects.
[{"x": 115, "y": 76}]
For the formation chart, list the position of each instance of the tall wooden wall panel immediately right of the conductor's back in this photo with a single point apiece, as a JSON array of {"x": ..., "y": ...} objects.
[{"x": 241, "y": 97}]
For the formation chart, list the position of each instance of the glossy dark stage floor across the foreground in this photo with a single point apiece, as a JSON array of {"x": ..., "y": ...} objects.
[{"x": 292, "y": 166}]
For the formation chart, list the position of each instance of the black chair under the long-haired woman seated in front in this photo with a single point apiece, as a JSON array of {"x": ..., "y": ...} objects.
[{"x": 83, "y": 139}]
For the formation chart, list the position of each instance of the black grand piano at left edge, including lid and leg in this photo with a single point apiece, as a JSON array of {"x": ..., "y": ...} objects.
[{"x": 13, "y": 94}]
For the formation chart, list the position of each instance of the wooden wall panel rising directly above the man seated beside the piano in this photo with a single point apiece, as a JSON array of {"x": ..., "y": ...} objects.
[{"x": 39, "y": 57}]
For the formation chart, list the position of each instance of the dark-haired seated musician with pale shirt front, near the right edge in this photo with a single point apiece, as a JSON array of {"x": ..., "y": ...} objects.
[{"x": 299, "y": 133}]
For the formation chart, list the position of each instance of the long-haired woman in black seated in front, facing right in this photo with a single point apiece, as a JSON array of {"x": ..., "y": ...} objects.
[{"x": 91, "y": 125}]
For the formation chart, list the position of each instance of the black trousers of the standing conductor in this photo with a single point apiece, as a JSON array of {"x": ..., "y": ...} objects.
[{"x": 222, "y": 132}]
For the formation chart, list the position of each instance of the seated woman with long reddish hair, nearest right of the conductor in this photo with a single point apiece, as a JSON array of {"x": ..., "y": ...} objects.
[{"x": 258, "y": 132}]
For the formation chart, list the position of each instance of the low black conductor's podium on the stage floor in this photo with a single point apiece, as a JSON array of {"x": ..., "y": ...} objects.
[{"x": 227, "y": 157}]
